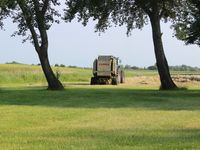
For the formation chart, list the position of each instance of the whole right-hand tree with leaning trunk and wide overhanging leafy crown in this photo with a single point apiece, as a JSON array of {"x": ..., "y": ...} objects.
[{"x": 133, "y": 14}]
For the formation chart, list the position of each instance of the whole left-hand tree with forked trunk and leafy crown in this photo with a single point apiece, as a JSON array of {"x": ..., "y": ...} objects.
[{"x": 37, "y": 16}]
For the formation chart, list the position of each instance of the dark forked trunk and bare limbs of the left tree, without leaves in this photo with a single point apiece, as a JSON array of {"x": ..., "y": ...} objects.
[{"x": 41, "y": 46}]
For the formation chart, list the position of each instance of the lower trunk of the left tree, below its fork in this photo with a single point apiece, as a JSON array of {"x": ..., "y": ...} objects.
[{"x": 53, "y": 82}]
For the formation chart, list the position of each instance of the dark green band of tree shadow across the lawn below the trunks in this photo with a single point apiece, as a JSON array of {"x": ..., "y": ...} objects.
[{"x": 104, "y": 98}]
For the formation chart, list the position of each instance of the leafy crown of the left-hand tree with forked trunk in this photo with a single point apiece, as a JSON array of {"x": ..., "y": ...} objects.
[{"x": 32, "y": 13}]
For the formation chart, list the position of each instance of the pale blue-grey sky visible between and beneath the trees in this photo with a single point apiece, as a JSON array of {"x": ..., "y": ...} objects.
[{"x": 73, "y": 44}]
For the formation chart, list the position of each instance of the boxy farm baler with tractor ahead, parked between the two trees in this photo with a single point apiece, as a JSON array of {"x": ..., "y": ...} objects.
[{"x": 106, "y": 70}]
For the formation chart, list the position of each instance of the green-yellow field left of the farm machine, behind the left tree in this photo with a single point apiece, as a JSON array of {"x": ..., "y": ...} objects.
[{"x": 31, "y": 75}]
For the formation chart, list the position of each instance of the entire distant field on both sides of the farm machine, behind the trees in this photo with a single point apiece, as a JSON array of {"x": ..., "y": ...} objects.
[{"x": 29, "y": 75}]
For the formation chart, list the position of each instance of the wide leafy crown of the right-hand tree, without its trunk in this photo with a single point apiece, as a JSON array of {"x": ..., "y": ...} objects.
[{"x": 132, "y": 13}]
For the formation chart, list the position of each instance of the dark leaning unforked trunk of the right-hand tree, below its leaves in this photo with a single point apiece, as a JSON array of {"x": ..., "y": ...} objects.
[{"x": 161, "y": 61}]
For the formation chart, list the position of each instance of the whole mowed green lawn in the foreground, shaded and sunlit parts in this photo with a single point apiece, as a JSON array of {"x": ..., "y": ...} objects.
[{"x": 99, "y": 117}]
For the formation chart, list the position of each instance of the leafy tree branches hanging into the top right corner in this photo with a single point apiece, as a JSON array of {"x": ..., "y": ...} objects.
[{"x": 187, "y": 26}]
